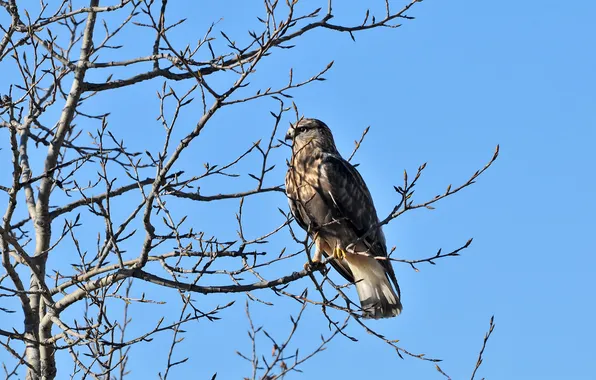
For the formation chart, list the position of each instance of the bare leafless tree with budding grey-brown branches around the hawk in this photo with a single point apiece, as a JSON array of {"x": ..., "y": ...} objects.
[{"x": 91, "y": 215}]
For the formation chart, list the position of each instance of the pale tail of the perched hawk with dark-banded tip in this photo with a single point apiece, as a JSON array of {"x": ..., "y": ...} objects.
[{"x": 377, "y": 297}]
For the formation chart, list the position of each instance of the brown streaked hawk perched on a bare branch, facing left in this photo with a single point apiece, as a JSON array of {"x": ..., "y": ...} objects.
[{"x": 329, "y": 200}]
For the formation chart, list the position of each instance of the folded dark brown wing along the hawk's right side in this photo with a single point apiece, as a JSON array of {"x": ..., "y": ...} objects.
[{"x": 343, "y": 188}]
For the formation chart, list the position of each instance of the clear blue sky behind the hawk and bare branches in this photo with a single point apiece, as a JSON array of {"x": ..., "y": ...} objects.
[{"x": 445, "y": 88}]
